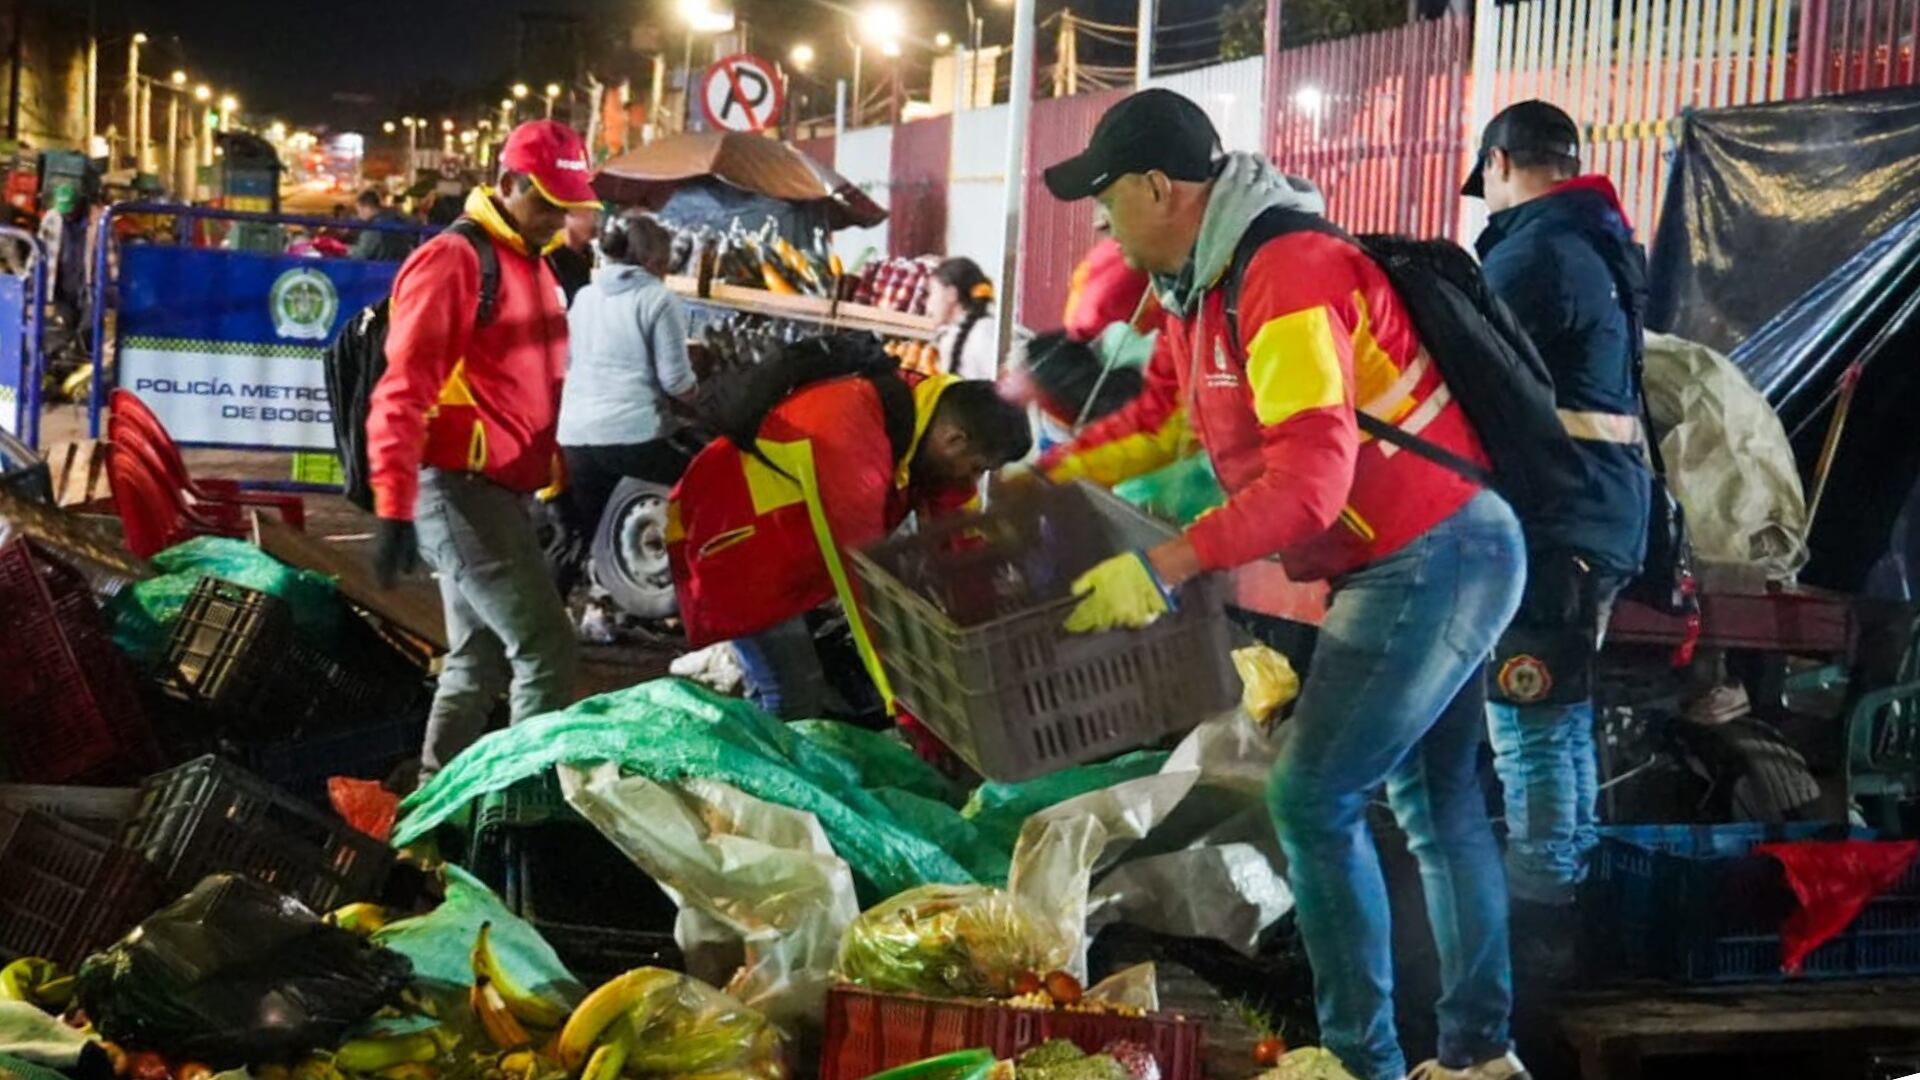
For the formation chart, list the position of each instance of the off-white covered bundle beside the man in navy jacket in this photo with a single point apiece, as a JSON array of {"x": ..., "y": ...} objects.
[{"x": 1729, "y": 460}]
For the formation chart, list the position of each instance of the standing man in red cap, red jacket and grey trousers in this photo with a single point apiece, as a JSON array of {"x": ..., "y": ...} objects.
[{"x": 460, "y": 433}]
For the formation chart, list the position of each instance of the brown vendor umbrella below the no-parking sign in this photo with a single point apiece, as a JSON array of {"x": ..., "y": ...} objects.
[{"x": 650, "y": 174}]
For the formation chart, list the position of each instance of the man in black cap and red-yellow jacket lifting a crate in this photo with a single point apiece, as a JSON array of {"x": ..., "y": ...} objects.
[{"x": 1280, "y": 335}]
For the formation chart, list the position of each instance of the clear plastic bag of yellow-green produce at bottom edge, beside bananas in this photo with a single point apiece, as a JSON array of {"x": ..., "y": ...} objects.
[{"x": 656, "y": 1023}]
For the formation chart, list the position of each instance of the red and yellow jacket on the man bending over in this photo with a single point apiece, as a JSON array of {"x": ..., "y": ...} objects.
[{"x": 752, "y": 547}]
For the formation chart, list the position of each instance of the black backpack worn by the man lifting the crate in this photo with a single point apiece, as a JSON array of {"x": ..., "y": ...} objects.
[{"x": 1485, "y": 356}]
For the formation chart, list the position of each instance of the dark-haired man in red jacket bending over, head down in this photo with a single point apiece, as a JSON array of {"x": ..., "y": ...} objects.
[{"x": 757, "y": 535}]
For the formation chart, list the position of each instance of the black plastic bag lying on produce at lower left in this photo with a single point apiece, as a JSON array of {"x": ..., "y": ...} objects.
[{"x": 237, "y": 973}]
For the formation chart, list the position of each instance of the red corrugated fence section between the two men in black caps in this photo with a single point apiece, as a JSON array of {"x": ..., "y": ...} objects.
[{"x": 1380, "y": 124}]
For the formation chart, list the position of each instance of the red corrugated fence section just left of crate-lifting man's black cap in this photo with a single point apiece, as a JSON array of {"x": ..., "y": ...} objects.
[{"x": 1055, "y": 235}]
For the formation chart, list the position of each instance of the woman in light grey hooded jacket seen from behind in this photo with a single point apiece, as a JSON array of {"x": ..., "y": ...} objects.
[{"x": 627, "y": 358}]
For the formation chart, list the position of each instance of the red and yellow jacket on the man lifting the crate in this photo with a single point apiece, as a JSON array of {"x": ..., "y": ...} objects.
[{"x": 1324, "y": 335}]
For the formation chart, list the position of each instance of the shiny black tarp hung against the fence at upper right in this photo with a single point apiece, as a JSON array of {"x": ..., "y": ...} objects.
[{"x": 1767, "y": 201}]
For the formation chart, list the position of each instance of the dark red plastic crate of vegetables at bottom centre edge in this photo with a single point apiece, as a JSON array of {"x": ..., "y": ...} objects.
[{"x": 871, "y": 1033}]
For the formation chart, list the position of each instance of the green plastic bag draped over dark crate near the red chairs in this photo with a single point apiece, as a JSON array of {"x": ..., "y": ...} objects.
[{"x": 145, "y": 612}]
